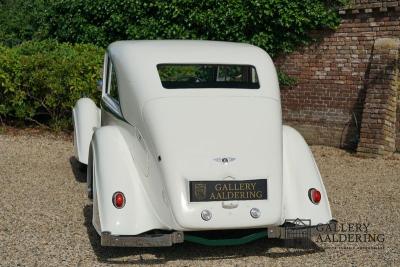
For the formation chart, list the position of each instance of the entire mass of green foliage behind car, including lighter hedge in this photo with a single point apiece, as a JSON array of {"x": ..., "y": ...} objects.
[{"x": 41, "y": 80}]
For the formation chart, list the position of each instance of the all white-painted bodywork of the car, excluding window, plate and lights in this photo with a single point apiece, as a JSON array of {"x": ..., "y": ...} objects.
[{"x": 188, "y": 129}]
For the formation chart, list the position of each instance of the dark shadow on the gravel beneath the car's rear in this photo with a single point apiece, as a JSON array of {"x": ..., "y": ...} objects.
[{"x": 272, "y": 248}]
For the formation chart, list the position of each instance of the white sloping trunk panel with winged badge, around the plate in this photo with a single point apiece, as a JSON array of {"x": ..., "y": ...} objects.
[{"x": 189, "y": 133}]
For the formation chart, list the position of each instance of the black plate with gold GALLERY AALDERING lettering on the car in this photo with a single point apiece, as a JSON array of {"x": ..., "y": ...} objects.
[{"x": 228, "y": 190}]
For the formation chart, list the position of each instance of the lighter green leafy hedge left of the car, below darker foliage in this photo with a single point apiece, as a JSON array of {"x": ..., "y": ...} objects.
[{"x": 41, "y": 81}]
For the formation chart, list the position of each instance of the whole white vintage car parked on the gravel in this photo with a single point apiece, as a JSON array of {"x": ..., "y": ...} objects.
[{"x": 189, "y": 139}]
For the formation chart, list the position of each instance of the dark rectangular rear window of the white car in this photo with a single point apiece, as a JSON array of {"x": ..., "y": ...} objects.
[{"x": 183, "y": 76}]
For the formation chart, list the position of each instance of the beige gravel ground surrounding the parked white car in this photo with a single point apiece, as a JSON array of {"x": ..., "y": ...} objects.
[{"x": 44, "y": 214}]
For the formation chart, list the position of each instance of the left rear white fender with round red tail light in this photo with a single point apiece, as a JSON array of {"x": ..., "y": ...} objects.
[{"x": 115, "y": 170}]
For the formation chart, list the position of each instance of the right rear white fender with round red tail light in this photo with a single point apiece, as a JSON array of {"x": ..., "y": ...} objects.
[{"x": 300, "y": 173}]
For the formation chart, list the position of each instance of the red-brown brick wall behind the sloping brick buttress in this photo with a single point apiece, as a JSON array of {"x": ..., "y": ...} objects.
[{"x": 326, "y": 104}]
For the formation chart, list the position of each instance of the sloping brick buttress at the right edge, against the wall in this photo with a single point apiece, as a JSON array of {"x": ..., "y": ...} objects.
[{"x": 378, "y": 132}]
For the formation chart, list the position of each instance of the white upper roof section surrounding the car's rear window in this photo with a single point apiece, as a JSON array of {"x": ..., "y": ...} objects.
[{"x": 136, "y": 66}]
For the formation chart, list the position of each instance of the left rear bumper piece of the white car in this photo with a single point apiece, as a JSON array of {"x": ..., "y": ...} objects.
[{"x": 146, "y": 240}]
